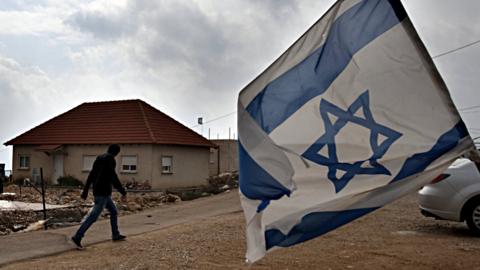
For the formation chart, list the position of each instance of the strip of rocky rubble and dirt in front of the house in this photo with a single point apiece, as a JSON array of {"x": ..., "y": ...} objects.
[{"x": 140, "y": 197}]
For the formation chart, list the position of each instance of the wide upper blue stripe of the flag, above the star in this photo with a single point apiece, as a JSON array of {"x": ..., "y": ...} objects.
[{"x": 354, "y": 29}]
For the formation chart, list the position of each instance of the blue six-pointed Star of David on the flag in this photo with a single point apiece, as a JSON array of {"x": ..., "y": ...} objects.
[{"x": 332, "y": 127}]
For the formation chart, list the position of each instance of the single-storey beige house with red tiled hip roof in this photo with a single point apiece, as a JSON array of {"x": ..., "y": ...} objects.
[{"x": 154, "y": 147}]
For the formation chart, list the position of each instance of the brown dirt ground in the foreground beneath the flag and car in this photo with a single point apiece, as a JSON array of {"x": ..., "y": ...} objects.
[{"x": 395, "y": 237}]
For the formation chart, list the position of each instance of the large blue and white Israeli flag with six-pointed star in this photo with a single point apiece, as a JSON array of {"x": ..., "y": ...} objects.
[{"x": 352, "y": 116}]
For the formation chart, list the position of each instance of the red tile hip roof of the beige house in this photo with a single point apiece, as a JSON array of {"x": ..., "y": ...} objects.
[{"x": 126, "y": 121}]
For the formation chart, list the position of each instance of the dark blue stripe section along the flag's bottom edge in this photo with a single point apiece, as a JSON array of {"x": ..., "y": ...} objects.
[{"x": 313, "y": 225}]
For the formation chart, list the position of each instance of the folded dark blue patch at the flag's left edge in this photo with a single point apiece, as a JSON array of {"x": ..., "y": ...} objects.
[{"x": 256, "y": 183}]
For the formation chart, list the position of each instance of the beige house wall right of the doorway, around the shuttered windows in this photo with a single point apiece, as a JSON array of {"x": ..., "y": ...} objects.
[{"x": 190, "y": 164}]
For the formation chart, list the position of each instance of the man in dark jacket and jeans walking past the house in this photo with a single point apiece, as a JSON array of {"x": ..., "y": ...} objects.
[{"x": 102, "y": 177}]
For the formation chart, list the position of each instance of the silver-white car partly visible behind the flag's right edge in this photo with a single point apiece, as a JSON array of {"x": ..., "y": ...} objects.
[{"x": 454, "y": 195}]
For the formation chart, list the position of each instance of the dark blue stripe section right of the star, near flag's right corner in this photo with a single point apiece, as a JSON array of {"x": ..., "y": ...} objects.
[{"x": 419, "y": 162}]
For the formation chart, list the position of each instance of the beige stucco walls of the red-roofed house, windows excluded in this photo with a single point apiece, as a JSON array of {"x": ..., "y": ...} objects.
[{"x": 190, "y": 164}]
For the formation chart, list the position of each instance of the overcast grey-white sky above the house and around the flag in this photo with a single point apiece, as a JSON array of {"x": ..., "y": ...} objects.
[{"x": 187, "y": 58}]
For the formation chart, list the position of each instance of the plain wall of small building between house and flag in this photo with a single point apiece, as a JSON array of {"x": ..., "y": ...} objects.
[{"x": 224, "y": 158}]
